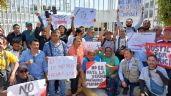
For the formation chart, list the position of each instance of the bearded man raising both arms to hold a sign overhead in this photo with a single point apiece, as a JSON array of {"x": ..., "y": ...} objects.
[{"x": 129, "y": 22}]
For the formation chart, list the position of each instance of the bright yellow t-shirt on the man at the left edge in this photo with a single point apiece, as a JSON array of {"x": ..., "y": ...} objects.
[{"x": 10, "y": 58}]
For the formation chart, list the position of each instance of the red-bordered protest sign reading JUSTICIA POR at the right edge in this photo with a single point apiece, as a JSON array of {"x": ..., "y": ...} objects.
[{"x": 162, "y": 51}]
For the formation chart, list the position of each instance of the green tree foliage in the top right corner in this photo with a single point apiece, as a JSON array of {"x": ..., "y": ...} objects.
[{"x": 164, "y": 11}]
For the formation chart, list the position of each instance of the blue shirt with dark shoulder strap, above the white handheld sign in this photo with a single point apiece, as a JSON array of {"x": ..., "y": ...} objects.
[{"x": 58, "y": 49}]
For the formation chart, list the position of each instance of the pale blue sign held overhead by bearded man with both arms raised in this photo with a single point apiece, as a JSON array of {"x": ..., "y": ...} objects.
[{"x": 129, "y": 7}]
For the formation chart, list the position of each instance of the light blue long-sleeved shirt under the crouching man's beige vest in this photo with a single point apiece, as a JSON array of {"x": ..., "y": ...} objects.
[{"x": 140, "y": 66}]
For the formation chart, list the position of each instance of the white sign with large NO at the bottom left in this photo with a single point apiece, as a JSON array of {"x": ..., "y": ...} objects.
[{"x": 32, "y": 88}]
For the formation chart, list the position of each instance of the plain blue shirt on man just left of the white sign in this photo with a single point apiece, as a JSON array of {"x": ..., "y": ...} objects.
[{"x": 39, "y": 66}]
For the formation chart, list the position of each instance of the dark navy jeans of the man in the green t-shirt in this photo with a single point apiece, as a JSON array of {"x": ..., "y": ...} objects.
[{"x": 112, "y": 84}]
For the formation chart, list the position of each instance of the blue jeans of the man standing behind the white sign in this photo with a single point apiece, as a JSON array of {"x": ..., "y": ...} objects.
[{"x": 51, "y": 88}]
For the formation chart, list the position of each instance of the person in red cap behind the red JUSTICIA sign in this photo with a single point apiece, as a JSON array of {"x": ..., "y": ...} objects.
[{"x": 167, "y": 39}]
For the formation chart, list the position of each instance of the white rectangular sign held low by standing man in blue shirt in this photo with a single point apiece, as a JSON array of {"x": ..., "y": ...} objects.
[{"x": 62, "y": 67}]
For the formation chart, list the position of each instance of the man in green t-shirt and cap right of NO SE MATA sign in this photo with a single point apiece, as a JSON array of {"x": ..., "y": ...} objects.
[{"x": 112, "y": 62}]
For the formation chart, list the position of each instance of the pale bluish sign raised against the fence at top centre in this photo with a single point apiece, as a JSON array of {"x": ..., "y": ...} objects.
[{"x": 84, "y": 16}]
